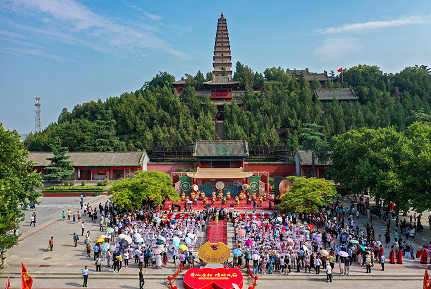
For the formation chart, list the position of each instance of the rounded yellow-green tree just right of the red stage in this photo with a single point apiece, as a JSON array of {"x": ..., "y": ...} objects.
[{"x": 307, "y": 195}]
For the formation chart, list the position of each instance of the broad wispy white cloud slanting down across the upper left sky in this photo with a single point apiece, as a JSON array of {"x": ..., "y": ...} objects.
[{"x": 78, "y": 25}]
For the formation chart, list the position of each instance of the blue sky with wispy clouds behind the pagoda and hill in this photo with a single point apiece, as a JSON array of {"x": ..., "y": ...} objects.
[{"x": 73, "y": 51}]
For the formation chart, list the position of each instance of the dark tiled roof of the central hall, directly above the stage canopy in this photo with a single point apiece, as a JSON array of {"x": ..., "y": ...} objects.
[{"x": 221, "y": 148}]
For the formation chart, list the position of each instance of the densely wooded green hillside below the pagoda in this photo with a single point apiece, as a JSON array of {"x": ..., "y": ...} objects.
[{"x": 155, "y": 116}]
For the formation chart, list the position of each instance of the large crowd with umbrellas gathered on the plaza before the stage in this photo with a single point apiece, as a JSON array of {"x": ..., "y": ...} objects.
[{"x": 270, "y": 242}]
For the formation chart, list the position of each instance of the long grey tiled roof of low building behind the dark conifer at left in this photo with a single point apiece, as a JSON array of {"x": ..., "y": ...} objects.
[{"x": 92, "y": 159}]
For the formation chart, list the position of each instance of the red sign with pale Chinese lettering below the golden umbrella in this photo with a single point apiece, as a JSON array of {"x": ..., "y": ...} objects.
[{"x": 220, "y": 278}]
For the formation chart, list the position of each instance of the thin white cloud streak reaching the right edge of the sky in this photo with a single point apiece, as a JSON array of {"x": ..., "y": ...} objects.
[{"x": 375, "y": 25}]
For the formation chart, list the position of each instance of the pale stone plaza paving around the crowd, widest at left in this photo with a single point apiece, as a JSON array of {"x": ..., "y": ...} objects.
[{"x": 61, "y": 268}]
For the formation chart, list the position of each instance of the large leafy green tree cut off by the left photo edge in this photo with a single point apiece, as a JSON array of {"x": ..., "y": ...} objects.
[{"x": 16, "y": 187}]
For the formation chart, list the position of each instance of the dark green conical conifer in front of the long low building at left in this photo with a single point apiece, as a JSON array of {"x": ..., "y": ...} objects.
[{"x": 60, "y": 168}]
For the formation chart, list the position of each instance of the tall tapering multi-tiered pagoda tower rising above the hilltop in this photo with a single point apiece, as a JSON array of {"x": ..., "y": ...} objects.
[{"x": 222, "y": 54}]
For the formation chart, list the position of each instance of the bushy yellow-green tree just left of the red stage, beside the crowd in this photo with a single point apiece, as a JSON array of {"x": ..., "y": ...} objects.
[{"x": 145, "y": 186}]
